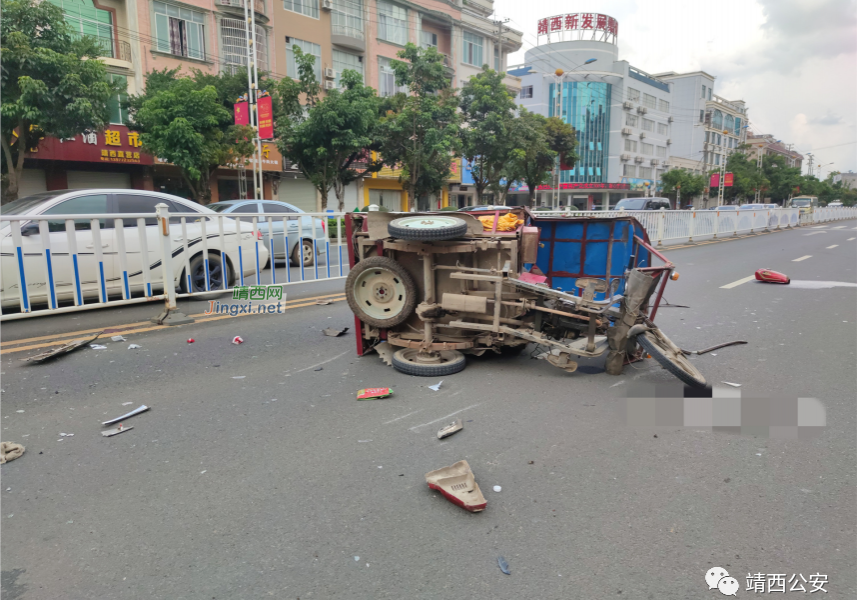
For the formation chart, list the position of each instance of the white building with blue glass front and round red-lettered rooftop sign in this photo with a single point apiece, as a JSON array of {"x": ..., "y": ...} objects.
[{"x": 623, "y": 116}]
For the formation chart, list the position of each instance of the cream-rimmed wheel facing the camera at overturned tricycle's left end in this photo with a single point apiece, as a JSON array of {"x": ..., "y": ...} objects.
[{"x": 380, "y": 292}]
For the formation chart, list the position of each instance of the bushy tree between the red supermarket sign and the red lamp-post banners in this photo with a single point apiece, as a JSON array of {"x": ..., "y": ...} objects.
[{"x": 186, "y": 121}]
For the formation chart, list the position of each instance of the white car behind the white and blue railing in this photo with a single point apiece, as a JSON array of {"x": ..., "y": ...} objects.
[{"x": 119, "y": 201}]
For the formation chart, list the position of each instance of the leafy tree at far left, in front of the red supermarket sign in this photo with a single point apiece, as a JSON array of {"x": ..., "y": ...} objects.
[{"x": 52, "y": 83}]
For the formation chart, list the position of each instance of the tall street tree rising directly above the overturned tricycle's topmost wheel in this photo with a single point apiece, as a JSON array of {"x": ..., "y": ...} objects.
[{"x": 421, "y": 135}]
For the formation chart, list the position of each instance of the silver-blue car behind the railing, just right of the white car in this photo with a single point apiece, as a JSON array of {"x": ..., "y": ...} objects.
[{"x": 304, "y": 228}]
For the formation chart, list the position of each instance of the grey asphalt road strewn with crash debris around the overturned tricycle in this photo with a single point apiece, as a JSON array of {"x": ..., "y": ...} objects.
[{"x": 257, "y": 475}]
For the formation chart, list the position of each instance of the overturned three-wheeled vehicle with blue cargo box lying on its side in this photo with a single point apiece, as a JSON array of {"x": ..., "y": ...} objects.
[{"x": 428, "y": 288}]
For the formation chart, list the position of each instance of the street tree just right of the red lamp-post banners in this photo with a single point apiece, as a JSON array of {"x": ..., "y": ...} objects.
[{"x": 331, "y": 139}]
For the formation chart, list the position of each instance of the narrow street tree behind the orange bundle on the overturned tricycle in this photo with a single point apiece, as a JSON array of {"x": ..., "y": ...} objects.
[{"x": 487, "y": 143}]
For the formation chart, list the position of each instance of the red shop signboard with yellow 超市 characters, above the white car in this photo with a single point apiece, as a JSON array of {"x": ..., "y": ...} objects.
[{"x": 116, "y": 144}]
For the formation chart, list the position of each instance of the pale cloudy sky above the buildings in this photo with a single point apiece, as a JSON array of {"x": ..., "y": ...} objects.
[{"x": 794, "y": 62}]
